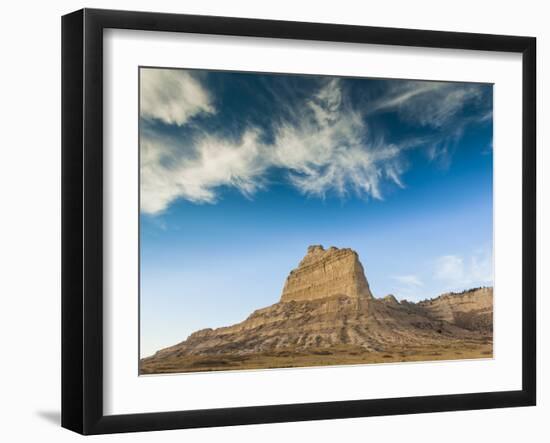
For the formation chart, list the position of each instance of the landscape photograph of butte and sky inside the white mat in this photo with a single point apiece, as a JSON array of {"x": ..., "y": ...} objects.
[{"x": 291, "y": 221}]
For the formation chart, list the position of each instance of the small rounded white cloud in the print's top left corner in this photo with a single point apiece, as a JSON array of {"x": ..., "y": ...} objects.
[{"x": 172, "y": 96}]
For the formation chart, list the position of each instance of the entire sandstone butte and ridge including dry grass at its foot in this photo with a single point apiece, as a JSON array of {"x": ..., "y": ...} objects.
[{"x": 328, "y": 315}]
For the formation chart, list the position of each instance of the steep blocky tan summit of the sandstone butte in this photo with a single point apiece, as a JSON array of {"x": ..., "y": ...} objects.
[{"x": 325, "y": 273}]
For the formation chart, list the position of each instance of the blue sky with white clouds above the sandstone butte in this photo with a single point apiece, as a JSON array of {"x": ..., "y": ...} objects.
[{"x": 240, "y": 172}]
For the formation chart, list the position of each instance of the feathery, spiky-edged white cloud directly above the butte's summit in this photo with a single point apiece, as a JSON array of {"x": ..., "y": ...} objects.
[{"x": 329, "y": 149}]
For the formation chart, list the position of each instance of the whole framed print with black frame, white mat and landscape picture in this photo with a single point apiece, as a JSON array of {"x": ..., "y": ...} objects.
[{"x": 270, "y": 221}]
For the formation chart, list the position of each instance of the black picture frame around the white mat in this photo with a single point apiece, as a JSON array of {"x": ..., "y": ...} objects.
[{"x": 82, "y": 221}]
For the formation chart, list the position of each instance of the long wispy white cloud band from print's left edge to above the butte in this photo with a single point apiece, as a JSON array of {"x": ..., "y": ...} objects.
[{"x": 326, "y": 148}]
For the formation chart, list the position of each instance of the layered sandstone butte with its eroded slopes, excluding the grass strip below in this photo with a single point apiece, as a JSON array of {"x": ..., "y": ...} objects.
[{"x": 327, "y": 302}]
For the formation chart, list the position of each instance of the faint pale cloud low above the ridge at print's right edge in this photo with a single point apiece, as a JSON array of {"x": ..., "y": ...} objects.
[{"x": 459, "y": 273}]
